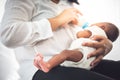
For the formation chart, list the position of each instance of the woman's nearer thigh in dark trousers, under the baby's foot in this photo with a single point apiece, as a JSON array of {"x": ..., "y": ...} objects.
[{"x": 69, "y": 73}]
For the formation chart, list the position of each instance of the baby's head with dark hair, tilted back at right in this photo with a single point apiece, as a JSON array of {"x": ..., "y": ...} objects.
[{"x": 110, "y": 29}]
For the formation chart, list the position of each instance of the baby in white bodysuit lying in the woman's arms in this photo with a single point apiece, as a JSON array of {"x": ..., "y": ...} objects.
[{"x": 106, "y": 29}]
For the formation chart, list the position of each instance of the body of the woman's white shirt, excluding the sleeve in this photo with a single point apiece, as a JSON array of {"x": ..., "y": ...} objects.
[{"x": 48, "y": 47}]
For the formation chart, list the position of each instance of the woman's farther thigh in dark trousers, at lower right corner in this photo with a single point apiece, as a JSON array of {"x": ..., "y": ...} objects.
[{"x": 109, "y": 68}]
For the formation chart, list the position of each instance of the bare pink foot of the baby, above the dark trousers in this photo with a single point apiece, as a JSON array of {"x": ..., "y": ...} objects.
[{"x": 39, "y": 63}]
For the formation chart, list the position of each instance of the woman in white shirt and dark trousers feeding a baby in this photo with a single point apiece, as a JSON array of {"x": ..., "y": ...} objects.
[{"x": 29, "y": 23}]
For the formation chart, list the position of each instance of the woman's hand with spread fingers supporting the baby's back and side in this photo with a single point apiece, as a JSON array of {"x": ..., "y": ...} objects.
[{"x": 103, "y": 46}]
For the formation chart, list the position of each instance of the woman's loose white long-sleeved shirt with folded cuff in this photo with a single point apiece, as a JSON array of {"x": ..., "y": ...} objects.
[{"x": 25, "y": 24}]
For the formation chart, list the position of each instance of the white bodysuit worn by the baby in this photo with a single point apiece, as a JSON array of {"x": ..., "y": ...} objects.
[{"x": 77, "y": 44}]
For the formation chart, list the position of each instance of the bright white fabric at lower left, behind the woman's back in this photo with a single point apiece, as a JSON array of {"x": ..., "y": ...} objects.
[{"x": 8, "y": 64}]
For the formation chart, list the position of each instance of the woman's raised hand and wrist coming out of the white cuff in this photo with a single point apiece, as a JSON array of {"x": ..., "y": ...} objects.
[{"x": 69, "y": 15}]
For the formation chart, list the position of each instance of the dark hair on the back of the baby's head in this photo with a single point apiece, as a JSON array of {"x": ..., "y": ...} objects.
[{"x": 113, "y": 31}]
